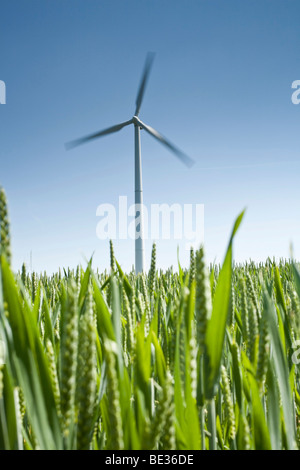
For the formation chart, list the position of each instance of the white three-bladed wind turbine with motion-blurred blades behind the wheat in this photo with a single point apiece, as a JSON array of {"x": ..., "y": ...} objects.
[{"x": 138, "y": 125}]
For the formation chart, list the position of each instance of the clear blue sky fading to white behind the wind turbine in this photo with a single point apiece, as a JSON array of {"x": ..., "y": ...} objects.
[{"x": 220, "y": 89}]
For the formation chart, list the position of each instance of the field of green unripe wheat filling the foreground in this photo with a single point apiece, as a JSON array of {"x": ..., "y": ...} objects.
[{"x": 204, "y": 358}]
